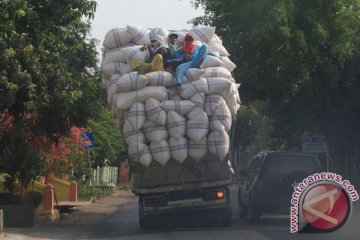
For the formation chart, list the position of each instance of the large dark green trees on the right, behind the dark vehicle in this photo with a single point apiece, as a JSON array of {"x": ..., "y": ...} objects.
[{"x": 300, "y": 58}]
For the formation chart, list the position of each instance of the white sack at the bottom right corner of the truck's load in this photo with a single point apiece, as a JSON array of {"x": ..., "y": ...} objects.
[{"x": 218, "y": 144}]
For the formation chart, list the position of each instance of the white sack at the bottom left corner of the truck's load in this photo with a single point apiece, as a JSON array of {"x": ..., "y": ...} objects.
[{"x": 140, "y": 152}]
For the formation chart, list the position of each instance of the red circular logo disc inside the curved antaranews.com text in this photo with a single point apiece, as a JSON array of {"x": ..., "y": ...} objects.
[{"x": 325, "y": 206}]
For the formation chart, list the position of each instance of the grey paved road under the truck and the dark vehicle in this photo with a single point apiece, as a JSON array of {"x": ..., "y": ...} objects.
[{"x": 124, "y": 225}]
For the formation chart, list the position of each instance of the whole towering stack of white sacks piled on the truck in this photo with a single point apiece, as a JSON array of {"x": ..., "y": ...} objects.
[{"x": 159, "y": 126}]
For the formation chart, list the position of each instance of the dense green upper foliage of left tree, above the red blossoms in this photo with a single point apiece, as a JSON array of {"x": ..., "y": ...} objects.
[{"x": 48, "y": 60}]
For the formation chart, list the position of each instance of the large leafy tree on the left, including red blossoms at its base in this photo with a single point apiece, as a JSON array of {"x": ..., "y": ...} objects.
[{"x": 48, "y": 70}]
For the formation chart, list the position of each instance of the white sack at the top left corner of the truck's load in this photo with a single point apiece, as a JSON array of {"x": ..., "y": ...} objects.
[{"x": 117, "y": 37}]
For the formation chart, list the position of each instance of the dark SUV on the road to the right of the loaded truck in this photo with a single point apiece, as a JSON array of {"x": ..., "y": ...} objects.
[{"x": 267, "y": 185}]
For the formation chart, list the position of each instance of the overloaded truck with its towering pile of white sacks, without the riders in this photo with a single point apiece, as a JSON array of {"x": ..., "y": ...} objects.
[{"x": 178, "y": 142}]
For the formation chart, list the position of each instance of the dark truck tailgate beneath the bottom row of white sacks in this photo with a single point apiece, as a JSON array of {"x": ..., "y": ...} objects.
[{"x": 209, "y": 171}]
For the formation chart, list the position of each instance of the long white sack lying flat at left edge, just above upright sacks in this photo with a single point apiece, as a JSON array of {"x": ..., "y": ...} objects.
[{"x": 125, "y": 99}]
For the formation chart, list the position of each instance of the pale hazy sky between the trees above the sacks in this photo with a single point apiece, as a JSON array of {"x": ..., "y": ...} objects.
[{"x": 168, "y": 14}]
